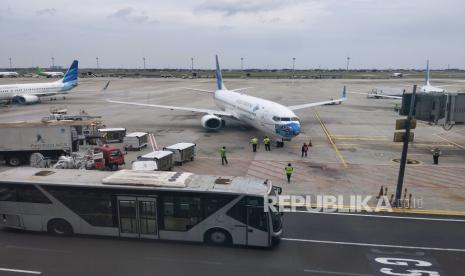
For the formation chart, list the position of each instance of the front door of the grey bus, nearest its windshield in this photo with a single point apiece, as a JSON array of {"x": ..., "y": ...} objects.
[{"x": 258, "y": 231}]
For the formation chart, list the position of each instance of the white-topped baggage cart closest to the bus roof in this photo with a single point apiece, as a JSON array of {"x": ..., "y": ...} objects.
[{"x": 161, "y": 160}]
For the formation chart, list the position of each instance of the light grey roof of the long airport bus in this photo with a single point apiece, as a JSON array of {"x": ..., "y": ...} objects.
[{"x": 128, "y": 179}]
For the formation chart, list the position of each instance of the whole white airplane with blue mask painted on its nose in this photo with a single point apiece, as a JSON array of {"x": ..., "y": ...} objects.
[{"x": 276, "y": 120}]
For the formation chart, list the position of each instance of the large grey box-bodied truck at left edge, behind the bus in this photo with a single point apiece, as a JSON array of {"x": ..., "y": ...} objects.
[{"x": 18, "y": 141}]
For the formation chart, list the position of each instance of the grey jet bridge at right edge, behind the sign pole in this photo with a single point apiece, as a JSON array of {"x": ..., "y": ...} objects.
[{"x": 446, "y": 109}]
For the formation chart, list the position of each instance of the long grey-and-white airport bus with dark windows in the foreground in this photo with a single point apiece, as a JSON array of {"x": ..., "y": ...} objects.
[{"x": 140, "y": 204}]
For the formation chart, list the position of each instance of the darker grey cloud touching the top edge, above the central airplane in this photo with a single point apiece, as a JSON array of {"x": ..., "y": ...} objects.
[{"x": 233, "y": 7}]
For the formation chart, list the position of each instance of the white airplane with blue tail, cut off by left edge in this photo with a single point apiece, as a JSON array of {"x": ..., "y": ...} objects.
[{"x": 32, "y": 92}]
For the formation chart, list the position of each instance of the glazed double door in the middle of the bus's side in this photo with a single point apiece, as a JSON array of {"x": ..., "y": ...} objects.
[{"x": 137, "y": 217}]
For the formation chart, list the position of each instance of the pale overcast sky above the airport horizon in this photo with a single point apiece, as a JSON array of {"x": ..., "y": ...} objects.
[{"x": 265, "y": 33}]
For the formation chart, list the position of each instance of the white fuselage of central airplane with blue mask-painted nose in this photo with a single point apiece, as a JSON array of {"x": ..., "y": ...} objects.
[{"x": 267, "y": 116}]
